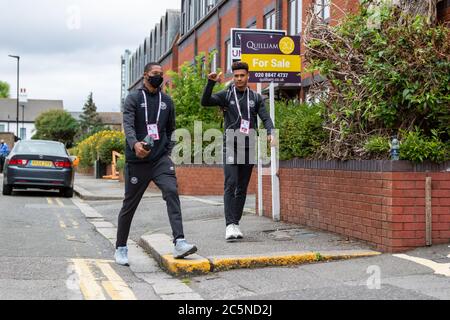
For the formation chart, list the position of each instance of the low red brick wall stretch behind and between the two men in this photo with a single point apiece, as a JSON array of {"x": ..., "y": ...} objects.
[{"x": 204, "y": 180}]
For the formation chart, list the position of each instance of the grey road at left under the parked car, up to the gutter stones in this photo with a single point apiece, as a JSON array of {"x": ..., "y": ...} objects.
[{"x": 50, "y": 252}]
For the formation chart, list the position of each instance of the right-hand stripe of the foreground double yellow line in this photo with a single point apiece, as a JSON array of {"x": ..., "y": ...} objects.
[{"x": 115, "y": 287}]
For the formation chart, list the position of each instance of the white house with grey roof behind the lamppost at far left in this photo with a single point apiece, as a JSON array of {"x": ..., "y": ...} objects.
[{"x": 27, "y": 115}]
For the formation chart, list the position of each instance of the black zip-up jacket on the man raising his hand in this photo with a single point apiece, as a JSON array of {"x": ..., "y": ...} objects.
[{"x": 226, "y": 100}]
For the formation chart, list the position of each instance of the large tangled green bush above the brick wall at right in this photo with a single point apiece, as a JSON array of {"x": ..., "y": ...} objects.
[{"x": 383, "y": 80}]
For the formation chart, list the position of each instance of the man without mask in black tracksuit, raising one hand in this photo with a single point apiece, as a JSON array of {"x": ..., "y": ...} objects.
[{"x": 241, "y": 108}]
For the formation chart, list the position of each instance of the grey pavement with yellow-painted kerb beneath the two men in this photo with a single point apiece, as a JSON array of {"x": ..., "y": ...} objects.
[{"x": 266, "y": 243}]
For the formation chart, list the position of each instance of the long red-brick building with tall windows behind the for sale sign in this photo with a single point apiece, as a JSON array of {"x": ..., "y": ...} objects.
[{"x": 204, "y": 26}]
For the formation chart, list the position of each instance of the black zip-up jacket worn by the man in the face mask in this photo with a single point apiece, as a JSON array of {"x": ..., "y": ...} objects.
[{"x": 135, "y": 126}]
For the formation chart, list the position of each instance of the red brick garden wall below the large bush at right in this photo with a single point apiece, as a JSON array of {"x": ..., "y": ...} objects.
[{"x": 387, "y": 210}]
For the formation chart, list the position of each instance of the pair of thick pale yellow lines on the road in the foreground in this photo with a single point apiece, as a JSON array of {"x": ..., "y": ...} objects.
[{"x": 93, "y": 287}]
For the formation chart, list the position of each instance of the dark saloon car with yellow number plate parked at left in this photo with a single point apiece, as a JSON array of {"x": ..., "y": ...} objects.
[{"x": 39, "y": 164}]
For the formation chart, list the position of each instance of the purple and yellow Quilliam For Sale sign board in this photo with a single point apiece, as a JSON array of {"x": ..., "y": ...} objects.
[{"x": 272, "y": 58}]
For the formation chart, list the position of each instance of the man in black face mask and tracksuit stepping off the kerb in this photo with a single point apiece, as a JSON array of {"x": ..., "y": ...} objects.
[{"x": 149, "y": 115}]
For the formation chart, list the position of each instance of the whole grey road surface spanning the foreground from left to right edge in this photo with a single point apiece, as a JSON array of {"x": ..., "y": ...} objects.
[{"x": 51, "y": 251}]
